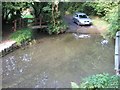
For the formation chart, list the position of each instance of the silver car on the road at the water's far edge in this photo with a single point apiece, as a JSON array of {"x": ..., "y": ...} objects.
[{"x": 81, "y": 19}]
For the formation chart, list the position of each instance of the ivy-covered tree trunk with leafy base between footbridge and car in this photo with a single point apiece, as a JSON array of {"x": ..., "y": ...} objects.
[{"x": 54, "y": 13}]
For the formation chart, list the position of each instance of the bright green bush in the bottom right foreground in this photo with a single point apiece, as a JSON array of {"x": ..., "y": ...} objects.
[{"x": 98, "y": 81}]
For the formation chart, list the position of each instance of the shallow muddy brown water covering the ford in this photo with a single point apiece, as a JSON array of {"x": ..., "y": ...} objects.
[{"x": 55, "y": 61}]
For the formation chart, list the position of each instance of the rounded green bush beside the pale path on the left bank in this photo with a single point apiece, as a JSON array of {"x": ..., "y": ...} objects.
[{"x": 22, "y": 35}]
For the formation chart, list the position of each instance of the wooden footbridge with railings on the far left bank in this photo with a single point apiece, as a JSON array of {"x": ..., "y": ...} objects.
[{"x": 33, "y": 23}]
